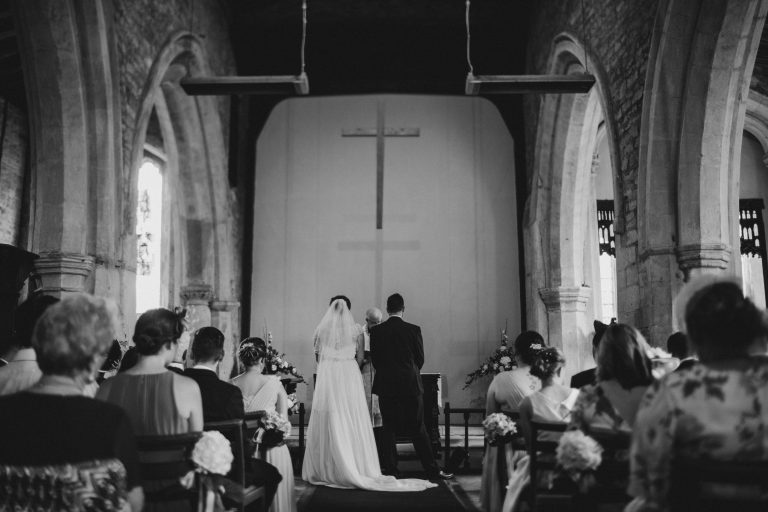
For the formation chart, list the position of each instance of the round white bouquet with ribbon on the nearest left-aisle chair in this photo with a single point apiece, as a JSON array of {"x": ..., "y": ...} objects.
[{"x": 212, "y": 457}]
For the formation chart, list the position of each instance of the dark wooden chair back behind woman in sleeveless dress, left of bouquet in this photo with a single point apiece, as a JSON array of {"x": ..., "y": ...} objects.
[{"x": 163, "y": 460}]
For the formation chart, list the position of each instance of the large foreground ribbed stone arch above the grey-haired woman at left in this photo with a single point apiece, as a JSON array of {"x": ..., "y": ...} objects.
[{"x": 72, "y": 96}]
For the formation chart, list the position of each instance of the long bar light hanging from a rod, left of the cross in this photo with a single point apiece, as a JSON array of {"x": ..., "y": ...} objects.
[{"x": 270, "y": 84}]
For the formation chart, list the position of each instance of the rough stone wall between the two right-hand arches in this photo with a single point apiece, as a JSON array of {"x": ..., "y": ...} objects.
[{"x": 617, "y": 34}]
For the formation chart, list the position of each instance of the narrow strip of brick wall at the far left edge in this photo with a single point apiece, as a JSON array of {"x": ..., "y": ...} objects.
[{"x": 12, "y": 167}]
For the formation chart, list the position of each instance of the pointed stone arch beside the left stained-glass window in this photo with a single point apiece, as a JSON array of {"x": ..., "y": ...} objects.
[{"x": 191, "y": 128}]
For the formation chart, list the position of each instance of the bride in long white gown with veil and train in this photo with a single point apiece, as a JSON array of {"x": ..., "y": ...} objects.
[{"x": 341, "y": 451}]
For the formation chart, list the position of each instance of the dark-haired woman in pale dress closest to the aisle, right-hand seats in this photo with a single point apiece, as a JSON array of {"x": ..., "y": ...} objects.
[{"x": 506, "y": 392}]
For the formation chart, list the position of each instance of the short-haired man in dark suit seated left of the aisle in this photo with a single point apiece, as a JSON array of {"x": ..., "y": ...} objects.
[{"x": 221, "y": 400}]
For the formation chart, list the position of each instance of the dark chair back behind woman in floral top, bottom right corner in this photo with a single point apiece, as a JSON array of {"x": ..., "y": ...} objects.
[{"x": 710, "y": 485}]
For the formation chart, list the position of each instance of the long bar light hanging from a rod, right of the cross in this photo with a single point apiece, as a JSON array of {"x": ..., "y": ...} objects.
[{"x": 521, "y": 84}]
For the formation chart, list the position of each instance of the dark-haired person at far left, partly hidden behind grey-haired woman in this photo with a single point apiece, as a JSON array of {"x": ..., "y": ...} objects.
[{"x": 22, "y": 370}]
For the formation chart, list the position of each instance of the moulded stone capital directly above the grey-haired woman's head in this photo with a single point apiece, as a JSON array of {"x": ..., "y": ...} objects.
[{"x": 62, "y": 273}]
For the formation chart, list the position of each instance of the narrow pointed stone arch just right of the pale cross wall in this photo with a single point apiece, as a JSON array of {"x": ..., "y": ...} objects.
[{"x": 555, "y": 215}]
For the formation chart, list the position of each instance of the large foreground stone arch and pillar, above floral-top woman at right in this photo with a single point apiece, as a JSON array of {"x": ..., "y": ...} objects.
[{"x": 693, "y": 115}]
